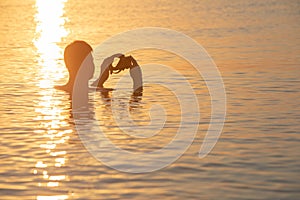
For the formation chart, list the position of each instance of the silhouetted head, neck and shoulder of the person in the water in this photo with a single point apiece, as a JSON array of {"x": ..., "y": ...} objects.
[{"x": 78, "y": 59}]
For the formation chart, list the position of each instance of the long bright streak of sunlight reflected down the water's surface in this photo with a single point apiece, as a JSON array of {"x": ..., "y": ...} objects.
[{"x": 53, "y": 124}]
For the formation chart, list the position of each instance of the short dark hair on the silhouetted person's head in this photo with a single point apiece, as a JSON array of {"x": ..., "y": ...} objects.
[{"x": 74, "y": 55}]
